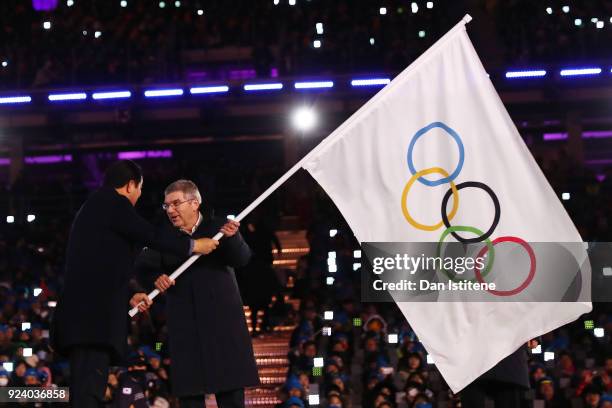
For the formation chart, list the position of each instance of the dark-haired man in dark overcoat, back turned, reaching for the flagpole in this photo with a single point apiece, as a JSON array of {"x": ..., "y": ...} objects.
[{"x": 90, "y": 324}]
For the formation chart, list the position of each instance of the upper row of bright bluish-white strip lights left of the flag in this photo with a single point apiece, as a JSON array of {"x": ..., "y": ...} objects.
[{"x": 170, "y": 92}]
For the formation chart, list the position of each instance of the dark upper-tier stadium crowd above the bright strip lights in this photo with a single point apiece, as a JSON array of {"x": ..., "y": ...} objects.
[{"x": 102, "y": 42}]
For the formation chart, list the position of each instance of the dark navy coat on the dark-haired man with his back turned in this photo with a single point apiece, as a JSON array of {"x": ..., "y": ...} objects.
[{"x": 106, "y": 236}]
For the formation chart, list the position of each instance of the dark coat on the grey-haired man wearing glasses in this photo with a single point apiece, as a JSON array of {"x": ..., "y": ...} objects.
[{"x": 209, "y": 343}]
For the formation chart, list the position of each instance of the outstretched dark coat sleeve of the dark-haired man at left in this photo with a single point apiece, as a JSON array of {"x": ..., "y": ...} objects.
[{"x": 127, "y": 222}]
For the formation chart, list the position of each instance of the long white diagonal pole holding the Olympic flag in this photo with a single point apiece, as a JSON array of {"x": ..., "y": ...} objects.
[{"x": 327, "y": 141}]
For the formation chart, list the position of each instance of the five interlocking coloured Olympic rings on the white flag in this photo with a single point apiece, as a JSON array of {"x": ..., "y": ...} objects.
[{"x": 447, "y": 217}]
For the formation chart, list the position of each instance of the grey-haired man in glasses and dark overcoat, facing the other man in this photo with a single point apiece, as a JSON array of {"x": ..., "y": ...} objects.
[{"x": 209, "y": 343}]
